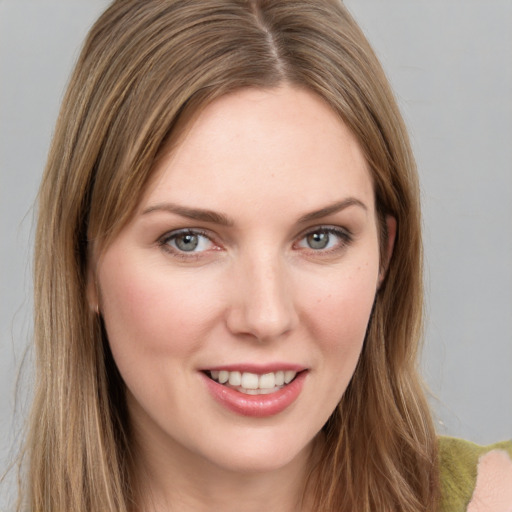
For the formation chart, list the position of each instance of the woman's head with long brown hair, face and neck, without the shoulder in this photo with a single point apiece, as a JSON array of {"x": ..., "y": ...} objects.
[{"x": 228, "y": 271}]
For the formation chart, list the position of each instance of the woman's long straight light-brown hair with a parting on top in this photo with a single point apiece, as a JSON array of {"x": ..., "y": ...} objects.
[{"x": 145, "y": 68}]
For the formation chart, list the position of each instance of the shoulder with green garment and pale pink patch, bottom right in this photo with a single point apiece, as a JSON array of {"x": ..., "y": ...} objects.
[{"x": 475, "y": 478}]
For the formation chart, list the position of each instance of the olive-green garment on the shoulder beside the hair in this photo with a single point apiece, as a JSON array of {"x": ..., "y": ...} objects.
[{"x": 458, "y": 470}]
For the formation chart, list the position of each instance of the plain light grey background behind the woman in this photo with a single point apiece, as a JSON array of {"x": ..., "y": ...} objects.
[{"x": 450, "y": 62}]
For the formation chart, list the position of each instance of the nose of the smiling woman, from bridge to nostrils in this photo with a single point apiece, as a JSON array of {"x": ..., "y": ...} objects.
[{"x": 262, "y": 304}]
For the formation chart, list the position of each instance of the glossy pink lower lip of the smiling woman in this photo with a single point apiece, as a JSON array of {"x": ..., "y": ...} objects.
[{"x": 257, "y": 406}]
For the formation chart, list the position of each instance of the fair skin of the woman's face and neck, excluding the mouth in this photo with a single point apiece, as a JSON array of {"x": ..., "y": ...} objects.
[{"x": 252, "y": 291}]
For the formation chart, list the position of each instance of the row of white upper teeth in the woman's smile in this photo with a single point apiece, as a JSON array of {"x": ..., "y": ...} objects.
[{"x": 252, "y": 383}]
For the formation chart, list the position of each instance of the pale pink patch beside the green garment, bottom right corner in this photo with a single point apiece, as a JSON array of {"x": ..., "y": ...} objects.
[{"x": 493, "y": 490}]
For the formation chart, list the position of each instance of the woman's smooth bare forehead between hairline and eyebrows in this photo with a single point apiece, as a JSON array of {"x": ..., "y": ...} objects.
[{"x": 283, "y": 145}]
